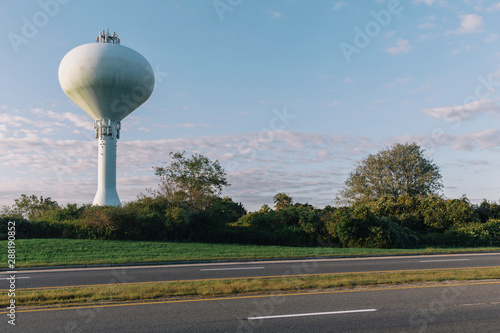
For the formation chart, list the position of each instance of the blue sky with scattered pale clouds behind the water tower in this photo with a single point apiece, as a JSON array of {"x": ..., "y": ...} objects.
[{"x": 286, "y": 94}]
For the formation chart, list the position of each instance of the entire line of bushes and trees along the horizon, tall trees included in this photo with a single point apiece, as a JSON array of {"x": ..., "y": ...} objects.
[{"x": 390, "y": 200}]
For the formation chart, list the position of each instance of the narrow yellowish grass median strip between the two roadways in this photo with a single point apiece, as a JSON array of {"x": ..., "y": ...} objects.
[{"x": 155, "y": 291}]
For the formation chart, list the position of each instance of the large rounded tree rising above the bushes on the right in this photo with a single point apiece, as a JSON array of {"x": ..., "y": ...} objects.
[{"x": 401, "y": 169}]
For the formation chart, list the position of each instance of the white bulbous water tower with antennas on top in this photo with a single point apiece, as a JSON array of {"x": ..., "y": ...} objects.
[{"x": 108, "y": 81}]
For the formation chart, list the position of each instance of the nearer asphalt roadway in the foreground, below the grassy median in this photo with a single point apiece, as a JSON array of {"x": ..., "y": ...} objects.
[{"x": 472, "y": 307}]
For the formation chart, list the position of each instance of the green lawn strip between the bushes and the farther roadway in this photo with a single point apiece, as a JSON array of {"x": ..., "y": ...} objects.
[{"x": 56, "y": 252}]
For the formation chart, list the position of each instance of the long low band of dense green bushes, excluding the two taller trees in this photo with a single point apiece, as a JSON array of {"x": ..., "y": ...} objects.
[{"x": 386, "y": 223}]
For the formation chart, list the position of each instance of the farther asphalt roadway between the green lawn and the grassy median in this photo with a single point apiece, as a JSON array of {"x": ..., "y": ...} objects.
[{"x": 128, "y": 274}]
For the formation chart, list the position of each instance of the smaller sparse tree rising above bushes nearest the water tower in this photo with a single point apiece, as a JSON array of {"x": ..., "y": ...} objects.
[{"x": 194, "y": 180}]
